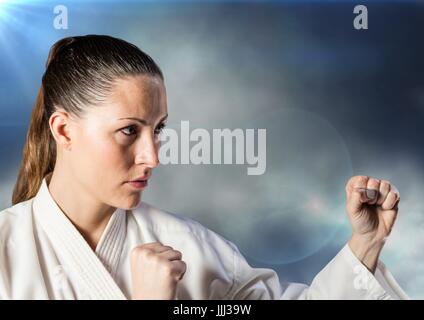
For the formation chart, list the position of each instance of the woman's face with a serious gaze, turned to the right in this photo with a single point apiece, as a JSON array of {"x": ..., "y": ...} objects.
[{"x": 118, "y": 141}]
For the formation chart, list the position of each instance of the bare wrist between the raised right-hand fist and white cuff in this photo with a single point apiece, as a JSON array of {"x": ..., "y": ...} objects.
[{"x": 366, "y": 250}]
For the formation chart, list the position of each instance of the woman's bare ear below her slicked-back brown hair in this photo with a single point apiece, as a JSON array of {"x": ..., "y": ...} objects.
[{"x": 60, "y": 126}]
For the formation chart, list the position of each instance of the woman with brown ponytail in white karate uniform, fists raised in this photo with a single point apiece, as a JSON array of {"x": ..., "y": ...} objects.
[{"x": 77, "y": 228}]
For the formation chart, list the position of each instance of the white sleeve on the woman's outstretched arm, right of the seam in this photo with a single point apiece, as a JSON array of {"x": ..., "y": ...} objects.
[{"x": 344, "y": 277}]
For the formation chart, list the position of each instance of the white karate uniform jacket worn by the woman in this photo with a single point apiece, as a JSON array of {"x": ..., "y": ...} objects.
[{"x": 43, "y": 256}]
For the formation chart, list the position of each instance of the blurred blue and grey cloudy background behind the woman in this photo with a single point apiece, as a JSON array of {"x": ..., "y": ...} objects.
[{"x": 335, "y": 101}]
